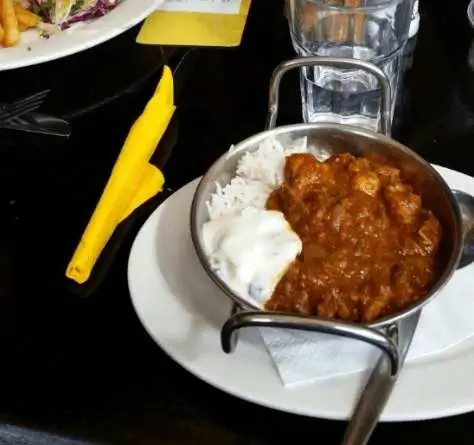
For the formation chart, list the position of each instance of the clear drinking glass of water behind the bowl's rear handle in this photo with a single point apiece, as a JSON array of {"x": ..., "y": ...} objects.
[{"x": 375, "y": 31}]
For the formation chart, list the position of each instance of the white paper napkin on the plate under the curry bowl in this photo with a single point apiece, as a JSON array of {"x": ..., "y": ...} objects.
[{"x": 305, "y": 357}]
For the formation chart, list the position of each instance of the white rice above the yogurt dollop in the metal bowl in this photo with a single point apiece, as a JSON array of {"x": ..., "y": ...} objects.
[{"x": 258, "y": 173}]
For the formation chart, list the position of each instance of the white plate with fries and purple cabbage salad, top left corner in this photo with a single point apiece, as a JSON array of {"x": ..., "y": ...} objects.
[{"x": 37, "y": 31}]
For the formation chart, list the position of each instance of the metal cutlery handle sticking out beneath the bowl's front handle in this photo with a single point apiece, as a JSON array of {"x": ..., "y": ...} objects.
[{"x": 379, "y": 386}]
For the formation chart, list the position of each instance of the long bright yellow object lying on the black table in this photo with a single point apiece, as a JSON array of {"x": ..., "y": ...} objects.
[{"x": 132, "y": 182}]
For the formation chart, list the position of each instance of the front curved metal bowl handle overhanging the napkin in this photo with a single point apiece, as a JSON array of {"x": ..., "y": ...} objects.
[{"x": 243, "y": 319}]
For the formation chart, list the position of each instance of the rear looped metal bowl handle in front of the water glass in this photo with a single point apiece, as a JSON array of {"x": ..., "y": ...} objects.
[{"x": 300, "y": 62}]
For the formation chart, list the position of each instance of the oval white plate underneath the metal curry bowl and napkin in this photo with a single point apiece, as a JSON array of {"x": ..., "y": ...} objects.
[{"x": 183, "y": 311}]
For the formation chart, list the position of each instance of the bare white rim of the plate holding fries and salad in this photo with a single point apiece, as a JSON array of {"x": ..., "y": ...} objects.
[{"x": 34, "y": 50}]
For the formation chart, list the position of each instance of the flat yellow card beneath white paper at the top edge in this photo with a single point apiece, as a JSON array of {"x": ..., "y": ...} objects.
[{"x": 194, "y": 28}]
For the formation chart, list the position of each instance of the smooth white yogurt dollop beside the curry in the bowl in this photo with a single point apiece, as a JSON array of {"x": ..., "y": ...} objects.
[{"x": 251, "y": 250}]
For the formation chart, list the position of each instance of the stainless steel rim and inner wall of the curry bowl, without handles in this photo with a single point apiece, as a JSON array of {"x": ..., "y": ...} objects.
[{"x": 329, "y": 139}]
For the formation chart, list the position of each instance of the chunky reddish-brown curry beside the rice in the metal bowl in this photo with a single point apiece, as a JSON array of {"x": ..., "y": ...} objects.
[{"x": 369, "y": 246}]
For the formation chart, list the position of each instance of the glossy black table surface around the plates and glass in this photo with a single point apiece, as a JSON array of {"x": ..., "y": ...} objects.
[{"x": 76, "y": 362}]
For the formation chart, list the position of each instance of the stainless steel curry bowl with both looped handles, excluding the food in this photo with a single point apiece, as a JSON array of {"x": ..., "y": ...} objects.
[{"x": 392, "y": 334}]
